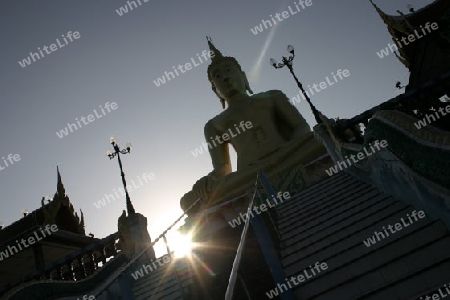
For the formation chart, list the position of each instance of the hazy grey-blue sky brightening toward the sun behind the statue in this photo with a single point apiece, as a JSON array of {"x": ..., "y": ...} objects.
[{"x": 115, "y": 60}]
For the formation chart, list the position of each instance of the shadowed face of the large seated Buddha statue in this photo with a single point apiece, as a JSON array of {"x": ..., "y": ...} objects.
[{"x": 228, "y": 80}]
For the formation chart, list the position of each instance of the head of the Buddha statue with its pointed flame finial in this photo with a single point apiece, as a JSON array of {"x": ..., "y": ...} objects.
[{"x": 226, "y": 76}]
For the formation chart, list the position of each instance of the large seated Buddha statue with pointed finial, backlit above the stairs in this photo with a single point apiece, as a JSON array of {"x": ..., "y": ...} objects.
[{"x": 266, "y": 131}]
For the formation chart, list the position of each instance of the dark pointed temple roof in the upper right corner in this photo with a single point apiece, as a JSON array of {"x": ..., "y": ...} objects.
[{"x": 405, "y": 24}]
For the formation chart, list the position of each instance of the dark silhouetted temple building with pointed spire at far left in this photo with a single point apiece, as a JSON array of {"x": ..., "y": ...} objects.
[{"x": 21, "y": 262}]
